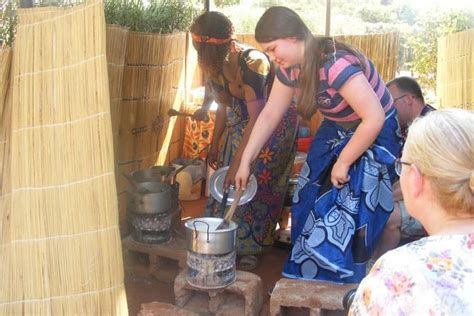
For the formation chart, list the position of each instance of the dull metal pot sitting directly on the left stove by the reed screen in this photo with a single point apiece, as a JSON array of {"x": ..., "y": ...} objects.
[{"x": 157, "y": 198}]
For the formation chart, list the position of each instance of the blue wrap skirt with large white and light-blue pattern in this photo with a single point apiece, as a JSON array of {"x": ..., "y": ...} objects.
[{"x": 334, "y": 232}]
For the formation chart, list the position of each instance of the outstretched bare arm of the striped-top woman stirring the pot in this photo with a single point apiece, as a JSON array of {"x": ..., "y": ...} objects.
[{"x": 268, "y": 119}]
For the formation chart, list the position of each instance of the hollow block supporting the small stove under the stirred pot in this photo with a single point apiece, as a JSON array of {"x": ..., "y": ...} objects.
[{"x": 243, "y": 297}]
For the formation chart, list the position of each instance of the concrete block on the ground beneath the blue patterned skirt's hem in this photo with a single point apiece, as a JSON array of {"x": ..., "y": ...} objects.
[{"x": 312, "y": 295}]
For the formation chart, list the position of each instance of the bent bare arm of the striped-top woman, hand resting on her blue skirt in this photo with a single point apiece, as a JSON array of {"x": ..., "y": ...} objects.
[{"x": 359, "y": 94}]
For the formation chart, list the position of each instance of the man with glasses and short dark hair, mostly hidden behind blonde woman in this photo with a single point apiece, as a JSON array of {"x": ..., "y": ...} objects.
[{"x": 410, "y": 103}]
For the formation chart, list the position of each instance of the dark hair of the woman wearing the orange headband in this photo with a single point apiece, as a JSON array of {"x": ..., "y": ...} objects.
[{"x": 211, "y": 56}]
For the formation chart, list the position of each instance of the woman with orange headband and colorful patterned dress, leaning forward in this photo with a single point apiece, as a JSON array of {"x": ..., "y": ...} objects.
[{"x": 238, "y": 77}]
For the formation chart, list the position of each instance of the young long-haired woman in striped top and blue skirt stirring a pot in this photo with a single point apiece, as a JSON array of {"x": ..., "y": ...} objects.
[{"x": 344, "y": 194}]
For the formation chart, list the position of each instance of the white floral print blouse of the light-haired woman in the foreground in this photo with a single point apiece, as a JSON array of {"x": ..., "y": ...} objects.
[{"x": 431, "y": 276}]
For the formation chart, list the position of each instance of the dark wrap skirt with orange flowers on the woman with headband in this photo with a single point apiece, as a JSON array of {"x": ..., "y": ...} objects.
[{"x": 257, "y": 219}]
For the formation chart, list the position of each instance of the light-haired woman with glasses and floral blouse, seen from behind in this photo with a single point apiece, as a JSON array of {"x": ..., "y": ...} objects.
[{"x": 434, "y": 275}]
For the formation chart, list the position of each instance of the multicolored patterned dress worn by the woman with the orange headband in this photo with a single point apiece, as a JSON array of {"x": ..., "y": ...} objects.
[{"x": 257, "y": 219}]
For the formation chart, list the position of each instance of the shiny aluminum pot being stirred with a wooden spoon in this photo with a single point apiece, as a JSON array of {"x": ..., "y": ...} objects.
[{"x": 202, "y": 237}]
